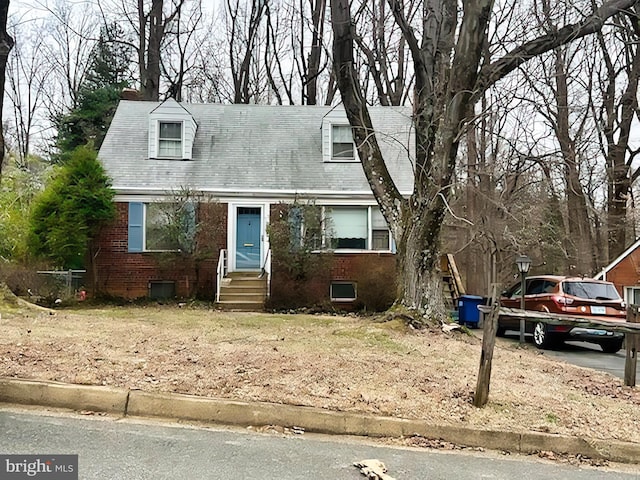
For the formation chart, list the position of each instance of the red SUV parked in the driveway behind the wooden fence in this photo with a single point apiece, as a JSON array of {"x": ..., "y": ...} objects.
[{"x": 569, "y": 295}]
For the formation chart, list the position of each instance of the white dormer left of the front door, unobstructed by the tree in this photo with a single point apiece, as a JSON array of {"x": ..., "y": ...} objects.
[{"x": 171, "y": 132}]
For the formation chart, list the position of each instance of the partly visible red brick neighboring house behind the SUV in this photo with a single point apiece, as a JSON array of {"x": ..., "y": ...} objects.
[{"x": 624, "y": 273}]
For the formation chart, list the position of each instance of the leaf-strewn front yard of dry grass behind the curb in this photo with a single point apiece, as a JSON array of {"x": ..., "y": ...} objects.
[{"x": 341, "y": 363}]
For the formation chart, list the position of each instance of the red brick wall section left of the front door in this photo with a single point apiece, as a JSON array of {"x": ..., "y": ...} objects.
[{"x": 119, "y": 273}]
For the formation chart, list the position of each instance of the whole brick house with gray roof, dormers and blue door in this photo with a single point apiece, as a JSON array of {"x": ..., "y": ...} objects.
[{"x": 232, "y": 170}]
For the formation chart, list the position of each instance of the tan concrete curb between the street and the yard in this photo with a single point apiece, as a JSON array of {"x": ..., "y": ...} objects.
[{"x": 136, "y": 403}]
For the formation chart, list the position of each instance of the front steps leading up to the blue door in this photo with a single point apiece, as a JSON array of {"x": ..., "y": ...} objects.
[{"x": 243, "y": 291}]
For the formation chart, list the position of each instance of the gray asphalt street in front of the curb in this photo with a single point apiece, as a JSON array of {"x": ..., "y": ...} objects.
[{"x": 109, "y": 448}]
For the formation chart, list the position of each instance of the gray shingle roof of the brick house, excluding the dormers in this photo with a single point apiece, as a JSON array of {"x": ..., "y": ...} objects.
[{"x": 249, "y": 148}]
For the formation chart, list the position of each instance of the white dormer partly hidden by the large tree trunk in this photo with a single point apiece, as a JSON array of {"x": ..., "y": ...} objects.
[{"x": 337, "y": 139}]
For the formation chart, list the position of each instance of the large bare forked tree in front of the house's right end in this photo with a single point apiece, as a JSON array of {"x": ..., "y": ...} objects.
[{"x": 449, "y": 75}]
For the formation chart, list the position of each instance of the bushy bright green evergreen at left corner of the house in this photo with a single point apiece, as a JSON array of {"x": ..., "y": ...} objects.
[{"x": 71, "y": 210}]
